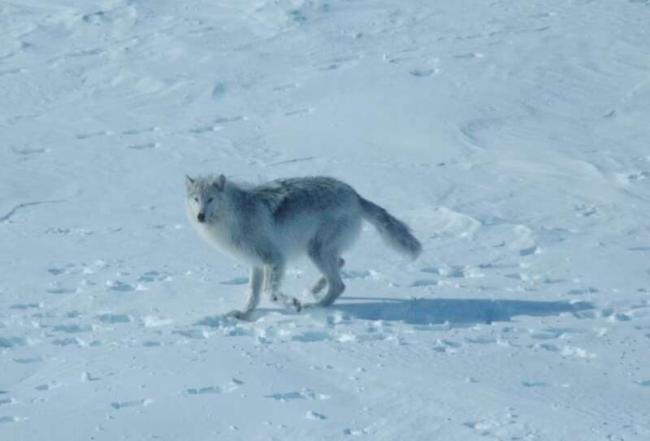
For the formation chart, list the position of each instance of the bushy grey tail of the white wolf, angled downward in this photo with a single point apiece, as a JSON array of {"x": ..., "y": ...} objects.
[{"x": 395, "y": 232}]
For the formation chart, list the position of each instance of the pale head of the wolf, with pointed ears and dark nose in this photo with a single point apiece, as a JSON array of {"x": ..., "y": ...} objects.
[{"x": 205, "y": 198}]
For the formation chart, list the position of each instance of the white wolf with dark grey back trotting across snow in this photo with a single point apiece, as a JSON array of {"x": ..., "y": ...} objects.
[{"x": 267, "y": 224}]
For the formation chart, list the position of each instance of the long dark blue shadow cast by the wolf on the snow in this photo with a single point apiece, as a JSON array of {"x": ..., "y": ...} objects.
[{"x": 464, "y": 312}]
